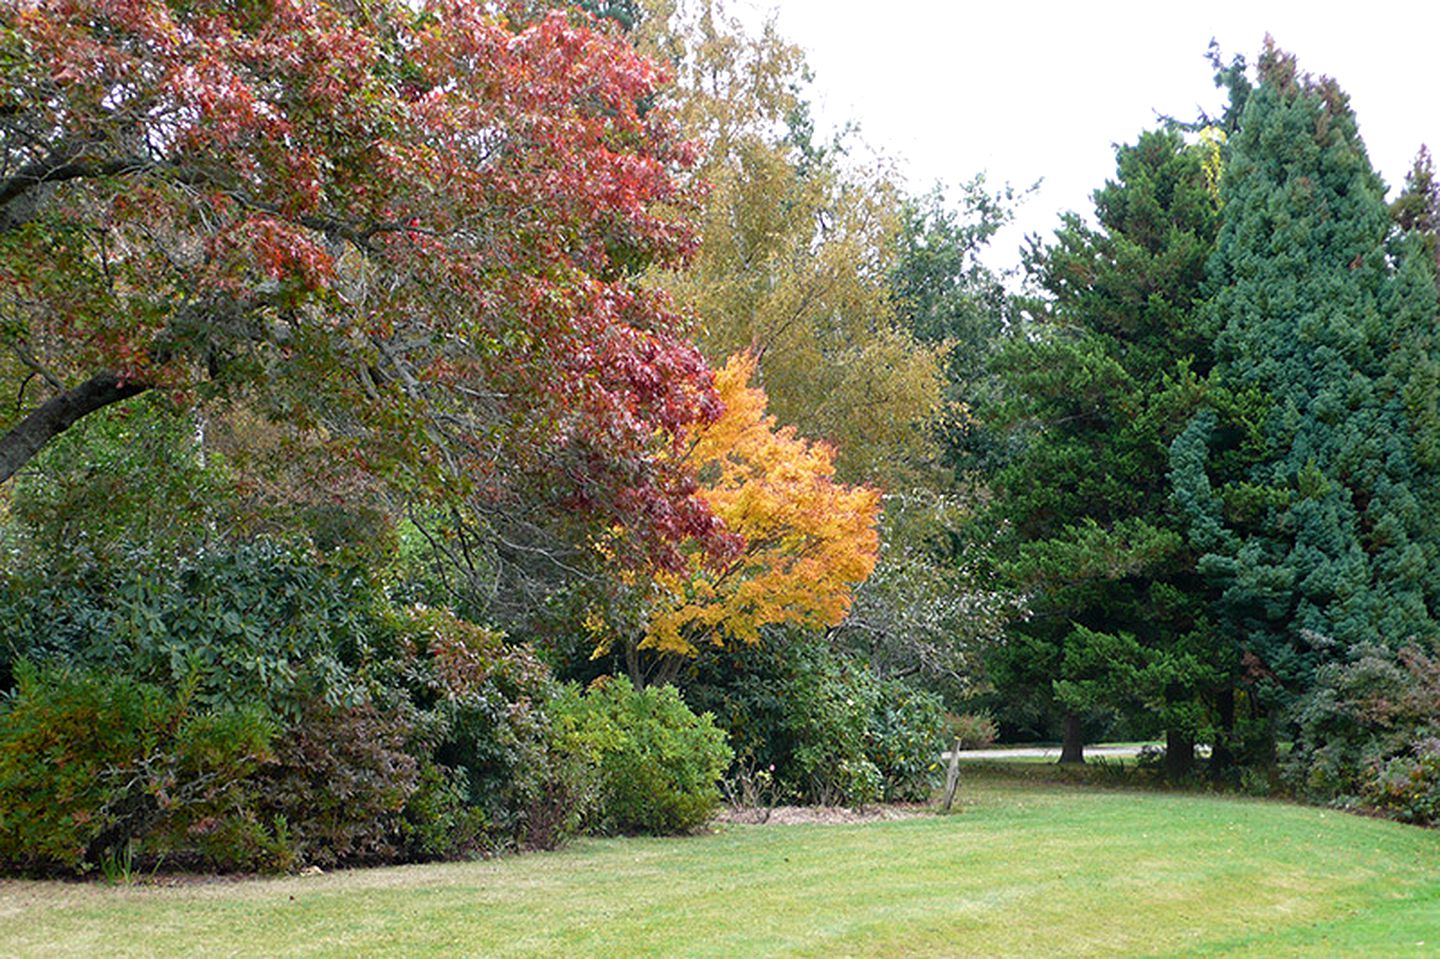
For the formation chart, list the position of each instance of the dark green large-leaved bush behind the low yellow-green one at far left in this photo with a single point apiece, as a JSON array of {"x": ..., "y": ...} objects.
[{"x": 256, "y": 623}]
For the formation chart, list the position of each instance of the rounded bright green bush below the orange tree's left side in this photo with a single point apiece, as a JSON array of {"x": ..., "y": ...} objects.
[{"x": 659, "y": 762}]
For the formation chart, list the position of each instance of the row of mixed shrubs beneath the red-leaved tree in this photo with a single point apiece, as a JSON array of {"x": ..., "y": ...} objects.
[{"x": 315, "y": 725}]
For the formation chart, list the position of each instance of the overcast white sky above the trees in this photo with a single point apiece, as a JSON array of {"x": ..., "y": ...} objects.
[{"x": 1043, "y": 90}]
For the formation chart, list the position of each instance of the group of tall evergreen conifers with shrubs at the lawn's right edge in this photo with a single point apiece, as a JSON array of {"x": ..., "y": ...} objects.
[{"x": 1223, "y": 410}]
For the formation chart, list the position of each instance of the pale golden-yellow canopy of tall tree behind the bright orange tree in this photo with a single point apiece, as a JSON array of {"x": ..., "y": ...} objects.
[{"x": 796, "y": 254}]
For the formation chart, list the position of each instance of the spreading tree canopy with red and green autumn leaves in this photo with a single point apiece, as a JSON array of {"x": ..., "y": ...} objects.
[{"x": 408, "y": 230}]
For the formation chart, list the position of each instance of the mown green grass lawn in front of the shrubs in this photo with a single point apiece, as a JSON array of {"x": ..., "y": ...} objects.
[{"x": 1030, "y": 869}]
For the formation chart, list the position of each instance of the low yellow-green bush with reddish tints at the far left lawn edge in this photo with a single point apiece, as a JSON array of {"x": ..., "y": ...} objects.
[{"x": 93, "y": 764}]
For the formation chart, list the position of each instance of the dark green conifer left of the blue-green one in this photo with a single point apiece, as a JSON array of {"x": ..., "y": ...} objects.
[{"x": 1117, "y": 617}]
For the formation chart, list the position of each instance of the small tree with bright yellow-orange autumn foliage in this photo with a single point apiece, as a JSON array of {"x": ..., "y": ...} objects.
[{"x": 803, "y": 542}]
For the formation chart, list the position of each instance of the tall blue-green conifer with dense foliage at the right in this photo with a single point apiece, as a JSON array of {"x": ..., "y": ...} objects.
[{"x": 1317, "y": 508}]
